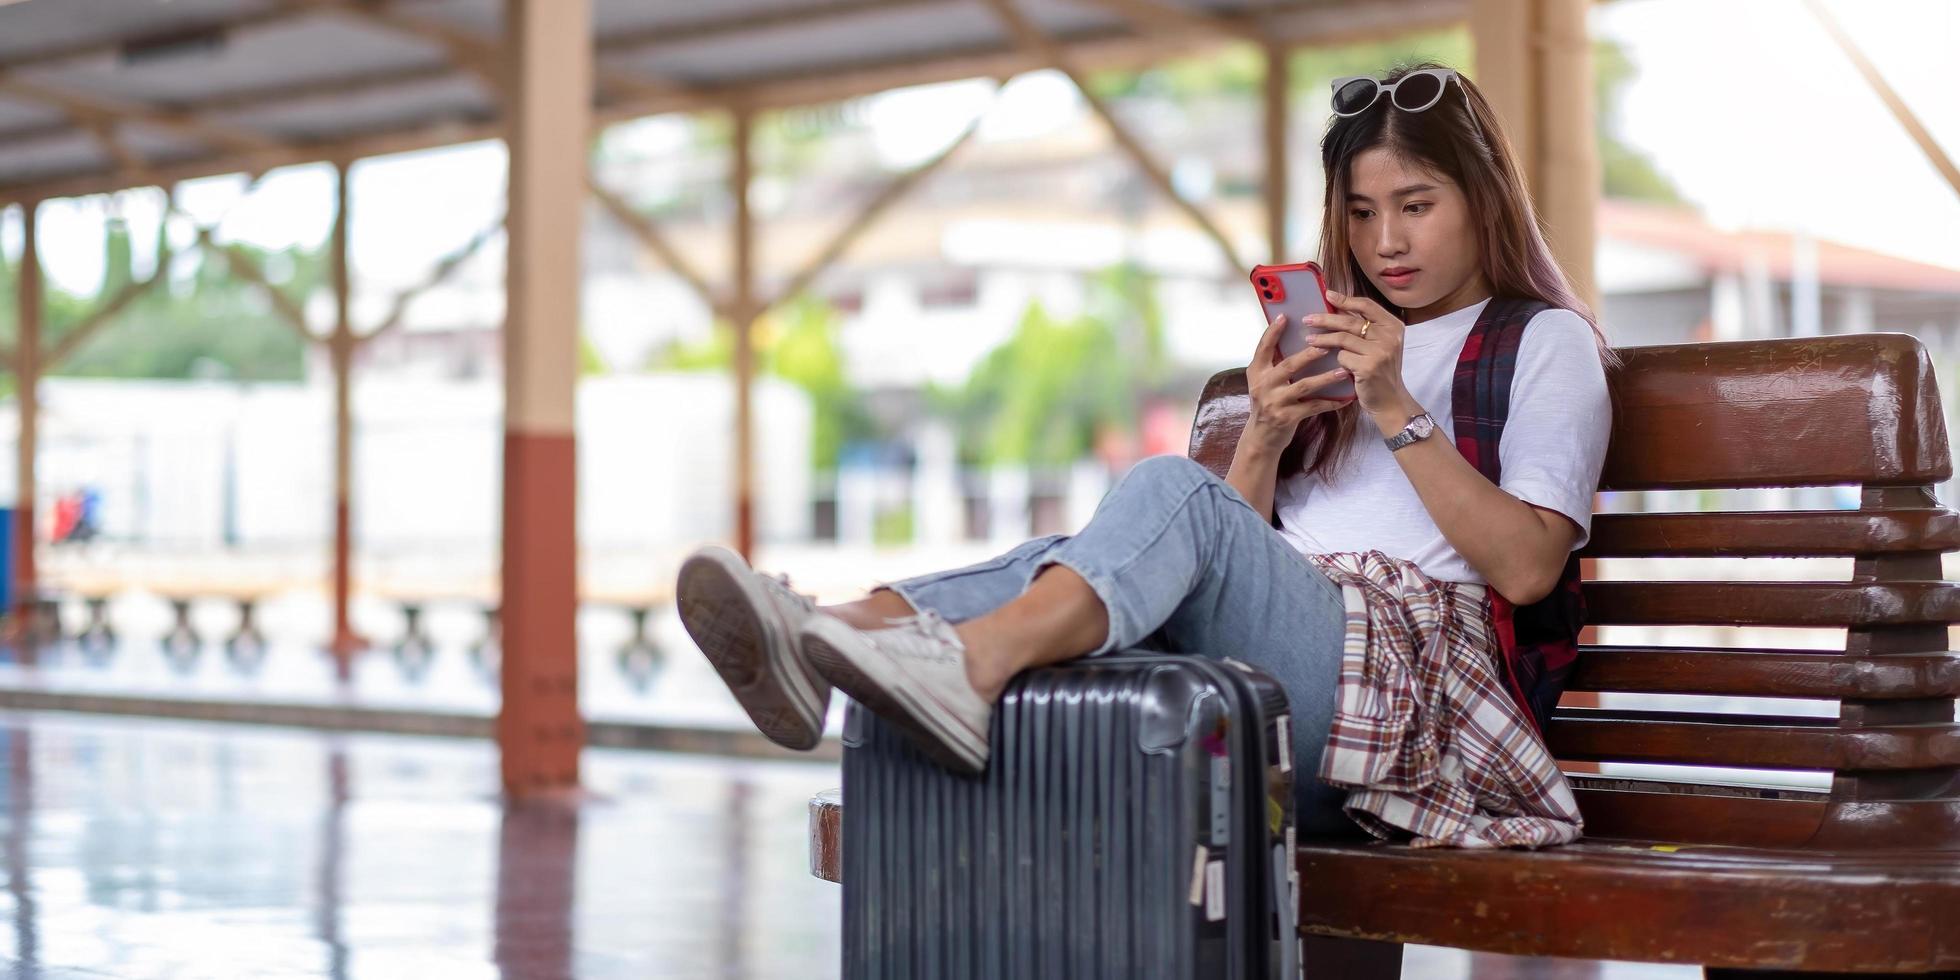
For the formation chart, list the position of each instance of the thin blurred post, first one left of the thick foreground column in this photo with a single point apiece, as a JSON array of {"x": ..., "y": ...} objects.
[{"x": 342, "y": 360}]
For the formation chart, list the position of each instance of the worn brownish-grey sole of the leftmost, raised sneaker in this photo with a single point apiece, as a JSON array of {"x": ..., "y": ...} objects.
[{"x": 726, "y": 614}]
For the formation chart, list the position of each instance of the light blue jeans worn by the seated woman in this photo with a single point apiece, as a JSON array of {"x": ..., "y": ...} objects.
[{"x": 1185, "y": 563}]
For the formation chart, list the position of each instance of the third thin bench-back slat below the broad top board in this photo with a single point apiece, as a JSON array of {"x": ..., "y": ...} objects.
[{"x": 1767, "y": 673}]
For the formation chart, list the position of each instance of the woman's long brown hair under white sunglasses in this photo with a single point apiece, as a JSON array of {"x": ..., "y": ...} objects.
[{"x": 1449, "y": 140}]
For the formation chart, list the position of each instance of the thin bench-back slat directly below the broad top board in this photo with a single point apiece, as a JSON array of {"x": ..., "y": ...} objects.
[{"x": 1773, "y": 534}]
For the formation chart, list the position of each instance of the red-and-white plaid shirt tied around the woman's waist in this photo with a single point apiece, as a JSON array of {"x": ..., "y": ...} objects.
[{"x": 1426, "y": 736}]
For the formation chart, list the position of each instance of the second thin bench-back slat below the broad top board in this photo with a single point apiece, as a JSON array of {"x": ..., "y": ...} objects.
[{"x": 1820, "y": 605}]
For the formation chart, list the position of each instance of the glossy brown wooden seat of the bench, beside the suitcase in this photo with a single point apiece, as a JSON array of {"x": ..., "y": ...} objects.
[{"x": 1814, "y": 910}]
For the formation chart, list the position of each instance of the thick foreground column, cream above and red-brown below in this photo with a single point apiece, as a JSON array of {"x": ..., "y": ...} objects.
[{"x": 550, "y": 111}]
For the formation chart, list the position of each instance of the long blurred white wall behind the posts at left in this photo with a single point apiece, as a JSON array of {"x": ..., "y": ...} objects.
[{"x": 656, "y": 462}]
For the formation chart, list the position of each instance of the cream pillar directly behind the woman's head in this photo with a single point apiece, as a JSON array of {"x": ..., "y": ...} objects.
[{"x": 1534, "y": 62}]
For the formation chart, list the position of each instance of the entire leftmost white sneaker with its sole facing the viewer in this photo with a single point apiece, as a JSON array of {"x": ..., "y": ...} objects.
[{"x": 748, "y": 624}]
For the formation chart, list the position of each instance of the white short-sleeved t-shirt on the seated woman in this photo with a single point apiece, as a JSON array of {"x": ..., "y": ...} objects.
[{"x": 1553, "y": 448}]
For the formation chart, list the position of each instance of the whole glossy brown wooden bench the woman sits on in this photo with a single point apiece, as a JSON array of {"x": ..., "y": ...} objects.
[{"x": 1702, "y": 867}]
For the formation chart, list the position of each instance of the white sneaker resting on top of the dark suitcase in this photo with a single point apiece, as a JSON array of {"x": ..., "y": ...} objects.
[{"x": 912, "y": 675}]
